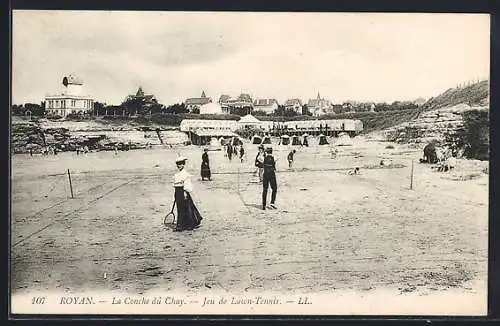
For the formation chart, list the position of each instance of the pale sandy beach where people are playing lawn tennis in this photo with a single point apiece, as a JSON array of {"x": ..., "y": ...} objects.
[{"x": 332, "y": 231}]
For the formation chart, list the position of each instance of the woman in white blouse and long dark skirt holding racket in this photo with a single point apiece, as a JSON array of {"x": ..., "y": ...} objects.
[{"x": 188, "y": 216}]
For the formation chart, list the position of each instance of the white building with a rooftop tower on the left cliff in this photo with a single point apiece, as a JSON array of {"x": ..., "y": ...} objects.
[{"x": 71, "y": 100}]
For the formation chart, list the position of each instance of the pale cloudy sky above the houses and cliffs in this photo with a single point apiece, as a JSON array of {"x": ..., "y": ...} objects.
[{"x": 175, "y": 55}]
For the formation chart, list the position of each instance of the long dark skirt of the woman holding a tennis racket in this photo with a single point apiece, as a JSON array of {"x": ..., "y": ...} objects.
[{"x": 188, "y": 216}]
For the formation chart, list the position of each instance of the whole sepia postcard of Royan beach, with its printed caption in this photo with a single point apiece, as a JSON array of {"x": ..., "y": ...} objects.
[{"x": 257, "y": 163}]
